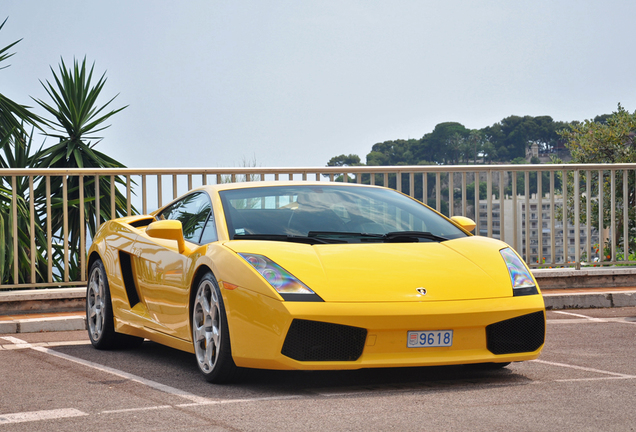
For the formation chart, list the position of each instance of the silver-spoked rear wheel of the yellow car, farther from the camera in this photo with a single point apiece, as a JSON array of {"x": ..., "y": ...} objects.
[{"x": 99, "y": 313}]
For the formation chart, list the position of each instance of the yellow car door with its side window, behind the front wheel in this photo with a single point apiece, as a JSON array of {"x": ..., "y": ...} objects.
[{"x": 164, "y": 273}]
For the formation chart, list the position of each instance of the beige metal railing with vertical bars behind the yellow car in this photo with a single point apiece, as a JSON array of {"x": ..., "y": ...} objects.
[{"x": 520, "y": 204}]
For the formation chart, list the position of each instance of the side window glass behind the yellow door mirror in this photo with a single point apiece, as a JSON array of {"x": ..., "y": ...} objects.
[{"x": 192, "y": 211}]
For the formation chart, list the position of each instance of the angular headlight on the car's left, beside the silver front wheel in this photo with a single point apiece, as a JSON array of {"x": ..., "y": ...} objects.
[{"x": 286, "y": 284}]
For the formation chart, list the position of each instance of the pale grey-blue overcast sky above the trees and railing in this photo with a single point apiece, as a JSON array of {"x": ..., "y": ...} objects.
[{"x": 293, "y": 83}]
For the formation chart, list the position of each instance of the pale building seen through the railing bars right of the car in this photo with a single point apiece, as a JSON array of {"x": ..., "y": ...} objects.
[{"x": 540, "y": 244}]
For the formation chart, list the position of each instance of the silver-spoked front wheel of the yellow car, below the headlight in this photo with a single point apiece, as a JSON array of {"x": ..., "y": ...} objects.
[{"x": 210, "y": 334}]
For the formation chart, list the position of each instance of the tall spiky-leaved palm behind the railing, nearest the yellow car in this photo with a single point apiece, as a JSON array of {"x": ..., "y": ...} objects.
[{"x": 76, "y": 119}]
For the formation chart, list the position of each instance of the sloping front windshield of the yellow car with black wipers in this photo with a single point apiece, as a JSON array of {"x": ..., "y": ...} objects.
[{"x": 331, "y": 214}]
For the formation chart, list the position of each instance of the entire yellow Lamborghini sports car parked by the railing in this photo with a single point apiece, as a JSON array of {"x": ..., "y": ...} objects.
[{"x": 310, "y": 275}]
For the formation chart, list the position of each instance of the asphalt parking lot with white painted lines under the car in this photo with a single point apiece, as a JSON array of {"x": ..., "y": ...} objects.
[{"x": 584, "y": 380}]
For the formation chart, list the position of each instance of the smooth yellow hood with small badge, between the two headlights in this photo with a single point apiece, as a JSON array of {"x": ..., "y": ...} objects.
[{"x": 467, "y": 268}]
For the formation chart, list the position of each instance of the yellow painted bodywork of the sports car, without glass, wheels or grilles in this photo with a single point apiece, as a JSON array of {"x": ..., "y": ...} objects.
[{"x": 373, "y": 286}]
